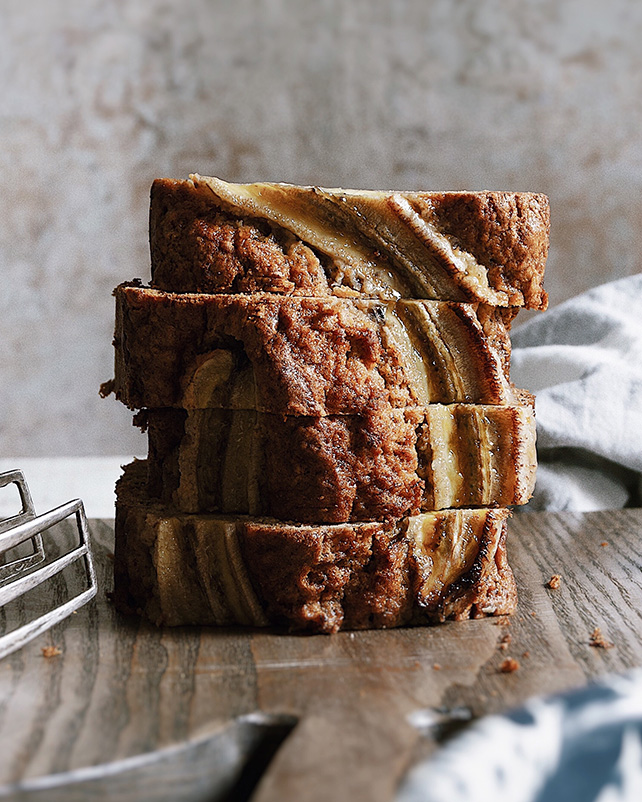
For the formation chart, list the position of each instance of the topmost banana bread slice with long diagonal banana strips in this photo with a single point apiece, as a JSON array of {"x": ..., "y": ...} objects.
[{"x": 210, "y": 236}]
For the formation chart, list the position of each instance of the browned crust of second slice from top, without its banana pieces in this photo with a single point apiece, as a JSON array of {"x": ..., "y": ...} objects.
[{"x": 309, "y": 356}]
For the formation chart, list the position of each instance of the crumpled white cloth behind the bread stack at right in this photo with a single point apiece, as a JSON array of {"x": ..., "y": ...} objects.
[{"x": 583, "y": 360}]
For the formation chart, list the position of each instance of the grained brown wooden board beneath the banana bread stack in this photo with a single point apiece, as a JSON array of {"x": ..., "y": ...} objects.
[{"x": 128, "y": 711}]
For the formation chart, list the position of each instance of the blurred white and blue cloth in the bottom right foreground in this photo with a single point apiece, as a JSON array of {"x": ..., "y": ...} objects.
[{"x": 582, "y": 745}]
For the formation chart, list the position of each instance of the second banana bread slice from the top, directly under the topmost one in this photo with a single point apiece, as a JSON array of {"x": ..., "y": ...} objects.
[{"x": 306, "y": 356}]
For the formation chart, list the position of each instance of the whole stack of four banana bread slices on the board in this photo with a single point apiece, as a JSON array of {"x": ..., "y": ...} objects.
[{"x": 334, "y": 440}]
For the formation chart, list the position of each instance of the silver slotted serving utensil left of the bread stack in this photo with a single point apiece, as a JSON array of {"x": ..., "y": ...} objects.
[{"x": 19, "y": 573}]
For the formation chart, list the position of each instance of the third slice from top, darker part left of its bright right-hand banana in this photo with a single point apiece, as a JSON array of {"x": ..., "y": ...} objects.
[{"x": 332, "y": 469}]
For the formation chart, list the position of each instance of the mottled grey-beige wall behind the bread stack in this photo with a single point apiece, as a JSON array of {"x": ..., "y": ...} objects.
[{"x": 99, "y": 97}]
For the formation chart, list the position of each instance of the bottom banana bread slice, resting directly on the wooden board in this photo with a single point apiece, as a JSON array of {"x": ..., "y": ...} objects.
[{"x": 185, "y": 568}]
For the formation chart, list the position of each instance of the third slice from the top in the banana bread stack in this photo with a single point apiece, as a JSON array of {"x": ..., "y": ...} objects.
[{"x": 384, "y": 465}]
